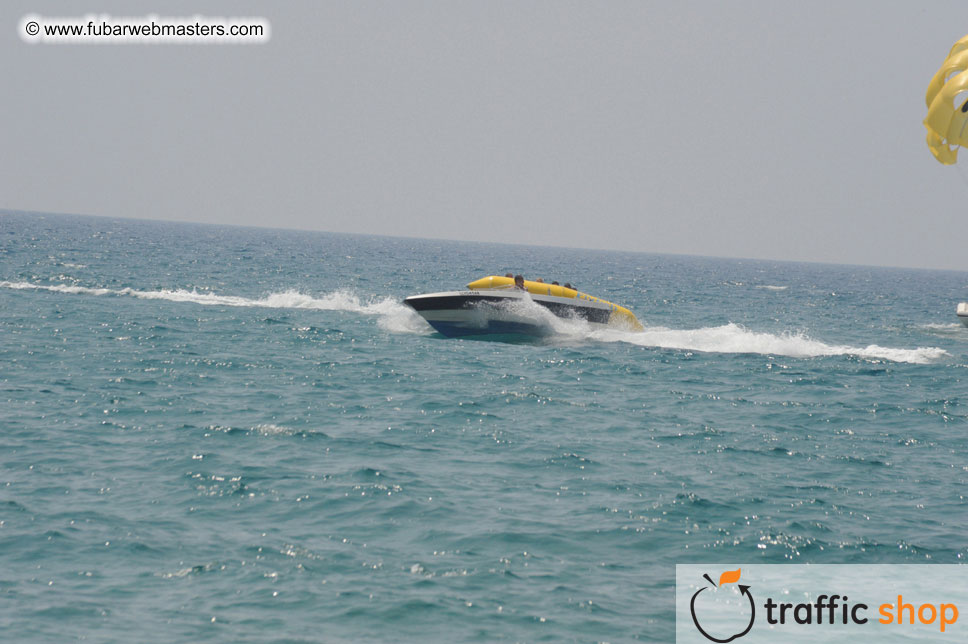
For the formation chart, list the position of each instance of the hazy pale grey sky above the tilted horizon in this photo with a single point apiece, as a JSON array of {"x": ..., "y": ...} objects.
[{"x": 774, "y": 130}]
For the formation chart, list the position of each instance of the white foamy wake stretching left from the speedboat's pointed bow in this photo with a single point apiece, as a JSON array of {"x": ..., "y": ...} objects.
[{"x": 393, "y": 315}]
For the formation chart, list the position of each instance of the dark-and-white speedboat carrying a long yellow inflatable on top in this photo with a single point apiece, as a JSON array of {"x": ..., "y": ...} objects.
[{"x": 493, "y": 305}]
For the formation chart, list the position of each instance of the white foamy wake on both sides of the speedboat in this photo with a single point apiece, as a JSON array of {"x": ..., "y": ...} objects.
[{"x": 395, "y": 317}]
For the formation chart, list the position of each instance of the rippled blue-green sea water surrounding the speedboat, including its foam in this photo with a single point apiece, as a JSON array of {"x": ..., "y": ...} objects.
[{"x": 241, "y": 435}]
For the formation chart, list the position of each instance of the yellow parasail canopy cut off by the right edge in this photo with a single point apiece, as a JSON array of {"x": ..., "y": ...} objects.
[{"x": 947, "y": 100}]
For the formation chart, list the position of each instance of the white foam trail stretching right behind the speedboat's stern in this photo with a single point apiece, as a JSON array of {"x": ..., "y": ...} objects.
[{"x": 733, "y": 338}]
